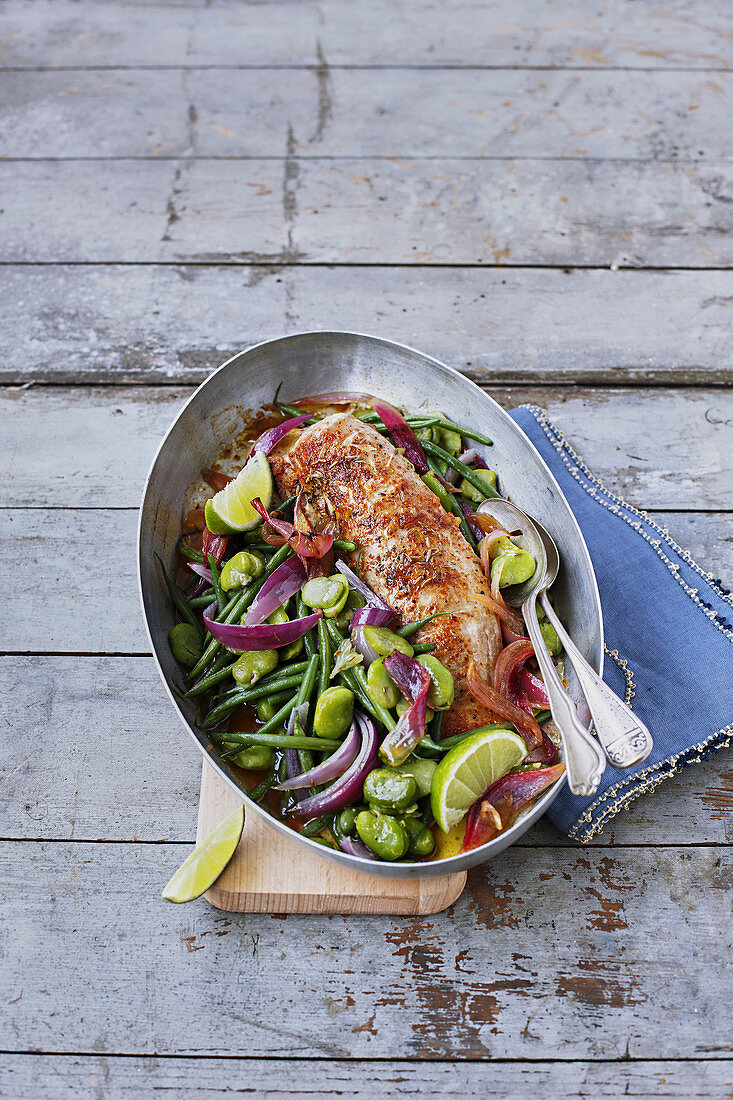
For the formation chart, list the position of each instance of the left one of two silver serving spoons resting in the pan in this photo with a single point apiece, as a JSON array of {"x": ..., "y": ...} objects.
[{"x": 584, "y": 758}]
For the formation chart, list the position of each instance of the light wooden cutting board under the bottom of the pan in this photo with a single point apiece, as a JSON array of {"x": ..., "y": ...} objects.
[{"x": 271, "y": 874}]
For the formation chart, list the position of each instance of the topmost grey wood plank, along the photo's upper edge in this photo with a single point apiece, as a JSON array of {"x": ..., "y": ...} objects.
[{"x": 51, "y": 34}]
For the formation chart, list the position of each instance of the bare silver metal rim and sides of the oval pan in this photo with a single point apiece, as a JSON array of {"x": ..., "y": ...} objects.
[{"x": 322, "y": 362}]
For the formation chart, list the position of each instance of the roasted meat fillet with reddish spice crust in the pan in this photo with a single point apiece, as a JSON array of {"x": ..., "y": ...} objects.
[{"x": 413, "y": 554}]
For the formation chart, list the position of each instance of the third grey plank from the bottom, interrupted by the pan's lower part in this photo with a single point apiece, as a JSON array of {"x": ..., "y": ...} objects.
[{"x": 96, "y": 753}]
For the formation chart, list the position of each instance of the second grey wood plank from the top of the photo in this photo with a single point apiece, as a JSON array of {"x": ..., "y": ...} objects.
[{"x": 657, "y": 116}]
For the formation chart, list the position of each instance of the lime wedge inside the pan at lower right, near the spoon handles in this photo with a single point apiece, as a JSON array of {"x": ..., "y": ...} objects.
[{"x": 467, "y": 771}]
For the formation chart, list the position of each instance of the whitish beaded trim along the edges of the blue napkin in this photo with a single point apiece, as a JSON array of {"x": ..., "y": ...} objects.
[{"x": 622, "y": 795}]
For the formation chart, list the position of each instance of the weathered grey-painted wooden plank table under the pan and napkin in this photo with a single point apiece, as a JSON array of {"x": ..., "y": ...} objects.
[{"x": 539, "y": 193}]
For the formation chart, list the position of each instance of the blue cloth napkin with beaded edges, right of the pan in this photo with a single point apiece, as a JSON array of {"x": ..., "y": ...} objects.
[{"x": 669, "y": 635}]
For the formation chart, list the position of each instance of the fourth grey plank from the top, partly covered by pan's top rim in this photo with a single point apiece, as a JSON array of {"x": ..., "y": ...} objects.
[{"x": 176, "y": 324}]
